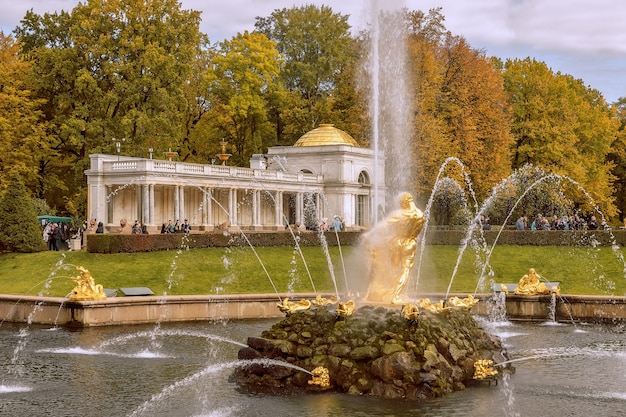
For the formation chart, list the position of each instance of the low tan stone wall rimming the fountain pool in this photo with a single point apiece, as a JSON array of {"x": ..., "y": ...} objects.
[{"x": 150, "y": 309}]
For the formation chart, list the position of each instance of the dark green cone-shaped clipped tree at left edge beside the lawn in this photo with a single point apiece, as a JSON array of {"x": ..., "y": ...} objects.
[{"x": 19, "y": 229}]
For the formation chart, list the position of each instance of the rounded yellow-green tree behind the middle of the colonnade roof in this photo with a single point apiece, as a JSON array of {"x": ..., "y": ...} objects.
[{"x": 244, "y": 81}]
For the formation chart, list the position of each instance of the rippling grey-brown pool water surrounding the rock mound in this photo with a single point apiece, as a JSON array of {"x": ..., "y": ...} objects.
[{"x": 183, "y": 370}]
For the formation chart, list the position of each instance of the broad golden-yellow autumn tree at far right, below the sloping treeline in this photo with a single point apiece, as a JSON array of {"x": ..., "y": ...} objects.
[{"x": 563, "y": 127}]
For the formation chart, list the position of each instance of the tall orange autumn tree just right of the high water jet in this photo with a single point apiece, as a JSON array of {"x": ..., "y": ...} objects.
[{"x": 462, "y": 107}]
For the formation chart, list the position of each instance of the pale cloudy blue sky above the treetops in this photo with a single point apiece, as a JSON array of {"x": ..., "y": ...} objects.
[{"x": 583, "y": 38}]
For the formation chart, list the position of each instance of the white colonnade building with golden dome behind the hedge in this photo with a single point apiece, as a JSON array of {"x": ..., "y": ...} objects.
[{"x": 323, "y": 175}]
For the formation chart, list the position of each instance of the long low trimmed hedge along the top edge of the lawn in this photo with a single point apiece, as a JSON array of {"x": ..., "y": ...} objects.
[{"x": 117, "y": 243}]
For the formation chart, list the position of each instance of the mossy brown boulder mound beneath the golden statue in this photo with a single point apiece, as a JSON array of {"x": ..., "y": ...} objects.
[{"x": 376, "y": 351}]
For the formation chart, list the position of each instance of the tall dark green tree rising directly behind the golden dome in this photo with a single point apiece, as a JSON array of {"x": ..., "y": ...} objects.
[{"x": 316, "y": 44}]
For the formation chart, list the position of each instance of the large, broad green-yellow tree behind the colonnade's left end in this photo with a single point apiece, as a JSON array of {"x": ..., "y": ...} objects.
[{"x": 109, "y": 69}]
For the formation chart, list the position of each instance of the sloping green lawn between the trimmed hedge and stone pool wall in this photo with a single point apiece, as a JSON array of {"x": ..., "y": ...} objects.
[{"x": 597, "y": 271}]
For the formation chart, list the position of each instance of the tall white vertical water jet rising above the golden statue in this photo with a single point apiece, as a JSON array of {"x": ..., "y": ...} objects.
[{"x": 390, "y": 99}]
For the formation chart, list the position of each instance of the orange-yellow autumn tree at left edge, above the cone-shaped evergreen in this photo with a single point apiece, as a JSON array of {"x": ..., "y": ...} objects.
[{"x": 22, "y": 135}]
